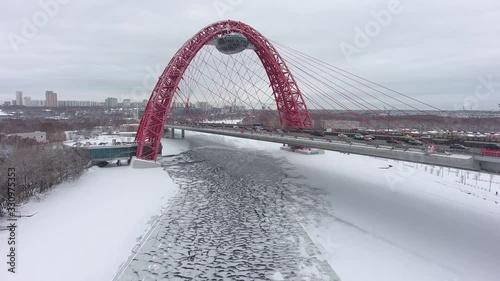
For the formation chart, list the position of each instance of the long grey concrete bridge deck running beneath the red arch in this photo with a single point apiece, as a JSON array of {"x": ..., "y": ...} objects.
[{"x": 466, "y": 162}]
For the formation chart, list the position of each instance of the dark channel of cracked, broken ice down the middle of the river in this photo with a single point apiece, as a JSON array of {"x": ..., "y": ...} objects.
[{"x": 233, "y": 219}]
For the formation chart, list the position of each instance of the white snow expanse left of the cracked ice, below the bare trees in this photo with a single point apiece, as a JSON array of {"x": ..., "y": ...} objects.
[{"x": 86, "y": 229}]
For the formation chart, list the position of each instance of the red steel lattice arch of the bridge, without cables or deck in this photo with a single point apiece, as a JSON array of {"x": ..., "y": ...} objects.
[{"x": 289, "y": 100}]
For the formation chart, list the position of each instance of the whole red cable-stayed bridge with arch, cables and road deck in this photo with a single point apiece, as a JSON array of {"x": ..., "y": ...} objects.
[{"x": 229, "y": 68}]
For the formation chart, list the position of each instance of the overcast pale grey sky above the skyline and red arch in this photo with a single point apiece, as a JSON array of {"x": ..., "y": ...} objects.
[{"x": 89, "y": 50}]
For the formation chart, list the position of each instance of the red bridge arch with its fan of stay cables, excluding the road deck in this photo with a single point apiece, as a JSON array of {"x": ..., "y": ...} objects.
[{"x": 272, "y": 84}]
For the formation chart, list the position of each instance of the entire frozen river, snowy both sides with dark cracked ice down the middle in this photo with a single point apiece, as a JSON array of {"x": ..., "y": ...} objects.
[{"x": 223, "y": 208}]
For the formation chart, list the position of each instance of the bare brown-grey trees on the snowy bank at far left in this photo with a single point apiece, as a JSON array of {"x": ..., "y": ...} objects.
[{"x": 38, "y": 168}]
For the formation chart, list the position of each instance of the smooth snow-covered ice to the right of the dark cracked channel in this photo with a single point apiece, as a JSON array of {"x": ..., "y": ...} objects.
[{"x": 405, "y": 222}]
